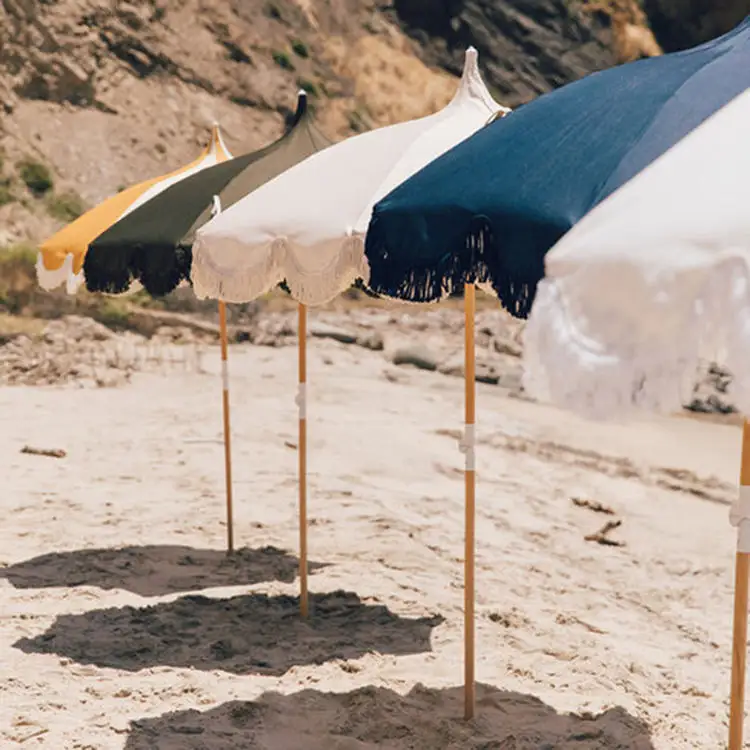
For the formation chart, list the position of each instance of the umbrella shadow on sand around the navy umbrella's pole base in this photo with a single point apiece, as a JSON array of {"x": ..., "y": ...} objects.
[{"x": 370, "y": 718}]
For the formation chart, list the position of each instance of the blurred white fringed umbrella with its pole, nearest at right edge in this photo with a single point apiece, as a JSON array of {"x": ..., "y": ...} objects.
[{"x": 651, "y": 282}]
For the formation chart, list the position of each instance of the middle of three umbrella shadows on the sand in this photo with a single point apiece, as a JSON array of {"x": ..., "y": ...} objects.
[{"x": 250, "y": 634}]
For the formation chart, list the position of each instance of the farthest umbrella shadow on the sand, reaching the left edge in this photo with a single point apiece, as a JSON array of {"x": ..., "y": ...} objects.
[{"x": 155, "y": 570}]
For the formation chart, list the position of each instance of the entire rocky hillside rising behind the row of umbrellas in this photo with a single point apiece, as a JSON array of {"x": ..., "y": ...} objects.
[{"x": 96, "y": 95}]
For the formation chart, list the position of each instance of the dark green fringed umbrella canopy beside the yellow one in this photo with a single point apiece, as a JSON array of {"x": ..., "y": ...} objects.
[{"x": 153, "y": 243}]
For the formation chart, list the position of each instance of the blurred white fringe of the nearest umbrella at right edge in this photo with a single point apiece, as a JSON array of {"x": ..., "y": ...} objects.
[{"x": 614, "y": 379}]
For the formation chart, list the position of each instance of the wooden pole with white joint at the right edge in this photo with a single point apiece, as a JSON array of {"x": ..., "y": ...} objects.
[{"x": 741, "y": 519}]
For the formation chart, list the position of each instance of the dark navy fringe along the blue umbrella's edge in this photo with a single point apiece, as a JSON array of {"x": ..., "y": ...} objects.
[{"x": 479, "y": 262}]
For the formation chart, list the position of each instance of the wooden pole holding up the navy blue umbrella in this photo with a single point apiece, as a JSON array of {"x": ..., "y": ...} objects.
[{"x": 470, "y": 477}]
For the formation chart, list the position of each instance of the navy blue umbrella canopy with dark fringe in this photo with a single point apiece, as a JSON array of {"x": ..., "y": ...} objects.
[{"x": 491, "y": 208}]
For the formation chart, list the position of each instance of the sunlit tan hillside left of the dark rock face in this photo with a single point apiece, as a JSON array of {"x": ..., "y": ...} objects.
[{"x": 80, "y": 109}]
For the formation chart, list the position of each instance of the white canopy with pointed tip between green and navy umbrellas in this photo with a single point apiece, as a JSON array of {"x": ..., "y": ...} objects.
[{"x": 307, "y": 225}]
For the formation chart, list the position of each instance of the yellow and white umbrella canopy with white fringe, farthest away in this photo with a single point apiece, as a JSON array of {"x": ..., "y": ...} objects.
[{"x": 61, "y": 257}]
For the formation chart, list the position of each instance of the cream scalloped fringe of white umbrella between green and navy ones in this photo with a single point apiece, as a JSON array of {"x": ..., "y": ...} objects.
[{"x": 278, "y": 266}]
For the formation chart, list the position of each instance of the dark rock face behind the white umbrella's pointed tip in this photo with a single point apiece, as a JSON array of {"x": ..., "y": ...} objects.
[{"x": 528, "y": 47}]
